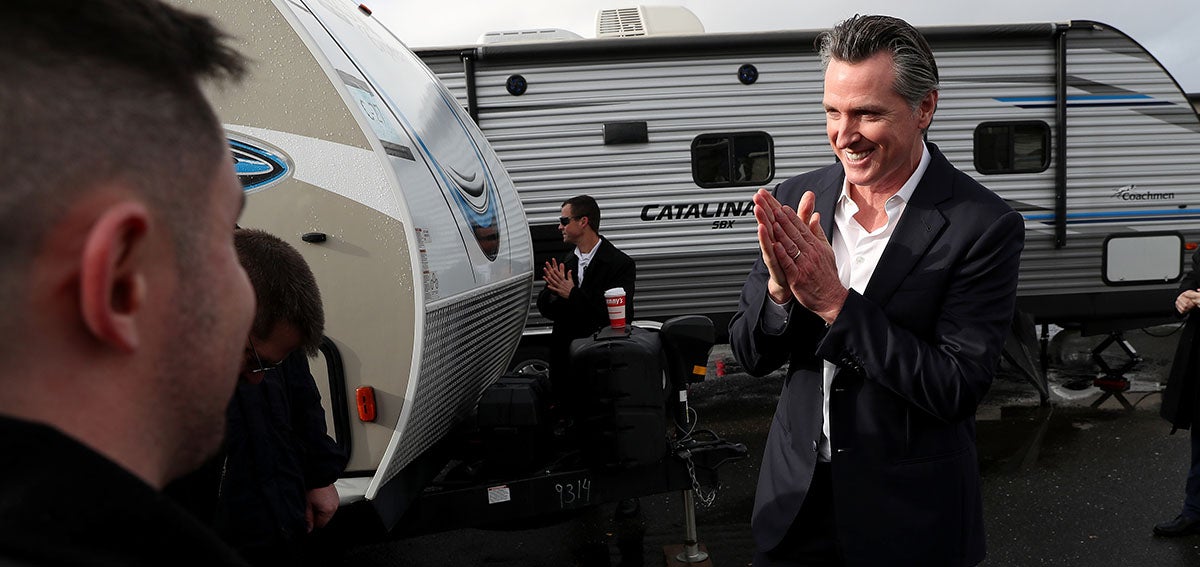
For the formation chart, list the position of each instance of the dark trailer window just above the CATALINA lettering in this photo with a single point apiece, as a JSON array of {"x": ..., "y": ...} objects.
[{"x": 730, "y": 160}]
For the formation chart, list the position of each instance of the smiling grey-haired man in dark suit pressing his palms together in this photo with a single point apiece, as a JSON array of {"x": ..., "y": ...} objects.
[{"x": 892, "y": 327}]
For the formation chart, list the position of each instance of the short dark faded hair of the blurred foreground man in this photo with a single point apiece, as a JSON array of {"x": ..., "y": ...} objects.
[{"x": 100, "y": 92}]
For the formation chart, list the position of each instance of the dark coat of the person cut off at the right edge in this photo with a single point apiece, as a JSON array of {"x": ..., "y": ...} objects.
[{"x": 1181, "y": 397}]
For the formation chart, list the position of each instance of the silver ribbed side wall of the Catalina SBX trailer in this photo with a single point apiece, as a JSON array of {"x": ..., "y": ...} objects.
[{"x": 1076, "y": 126}]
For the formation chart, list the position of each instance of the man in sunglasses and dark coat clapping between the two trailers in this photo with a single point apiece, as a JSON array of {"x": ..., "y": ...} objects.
[{"x": 575, "y": 287}]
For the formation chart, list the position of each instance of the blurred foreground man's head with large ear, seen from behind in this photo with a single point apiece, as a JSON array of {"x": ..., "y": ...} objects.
[{"x": 119, "y": 279}]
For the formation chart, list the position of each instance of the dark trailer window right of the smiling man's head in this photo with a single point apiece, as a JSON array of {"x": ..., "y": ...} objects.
[{"x": 1012, "y": 147}]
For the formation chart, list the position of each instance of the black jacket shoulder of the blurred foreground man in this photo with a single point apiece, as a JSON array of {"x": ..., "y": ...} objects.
[{"x": 63, "y": 504}]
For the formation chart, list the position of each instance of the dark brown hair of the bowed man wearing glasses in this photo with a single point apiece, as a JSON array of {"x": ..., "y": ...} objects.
[{"x": 285, "y": 288}]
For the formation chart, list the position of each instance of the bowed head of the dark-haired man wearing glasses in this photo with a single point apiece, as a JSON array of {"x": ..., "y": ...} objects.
[{"x": 290, "y": 314}]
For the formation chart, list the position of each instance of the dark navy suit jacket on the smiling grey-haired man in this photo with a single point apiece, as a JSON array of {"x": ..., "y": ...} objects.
[{"x": 915, "y": 356}]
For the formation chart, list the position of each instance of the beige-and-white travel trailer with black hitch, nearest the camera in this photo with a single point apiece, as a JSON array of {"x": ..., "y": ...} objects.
[{"x": 350, "y": 148}]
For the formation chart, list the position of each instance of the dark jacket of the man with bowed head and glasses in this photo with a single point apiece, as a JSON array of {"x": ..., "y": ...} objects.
[{"x": 277, "y": 450}]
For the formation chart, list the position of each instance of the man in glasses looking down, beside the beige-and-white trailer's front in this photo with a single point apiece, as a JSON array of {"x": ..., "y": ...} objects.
[{"x": 274, "y": 482}]
